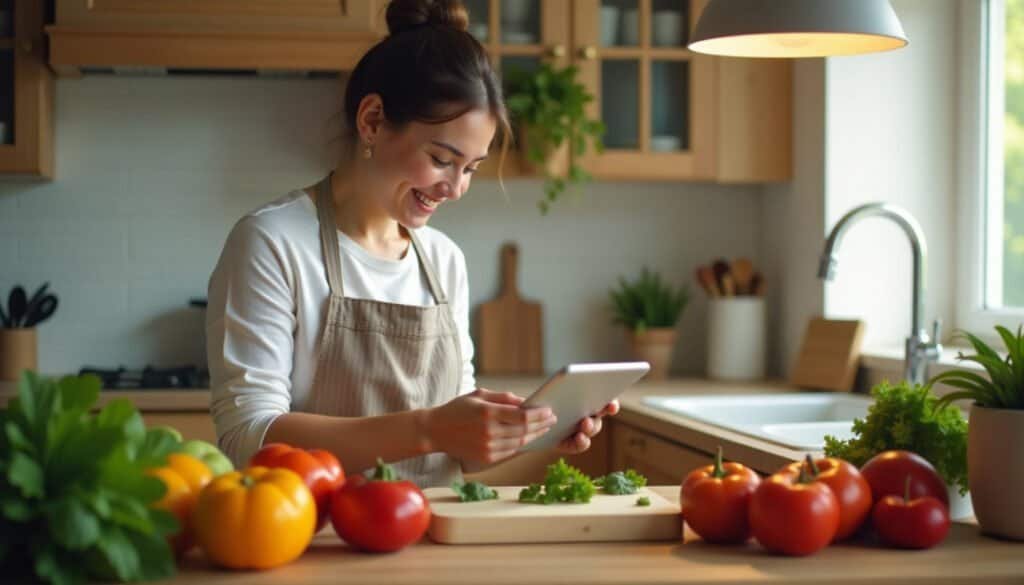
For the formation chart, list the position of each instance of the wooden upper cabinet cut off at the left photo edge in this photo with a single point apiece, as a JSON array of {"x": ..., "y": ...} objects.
[{"x": 26, "y": 92}]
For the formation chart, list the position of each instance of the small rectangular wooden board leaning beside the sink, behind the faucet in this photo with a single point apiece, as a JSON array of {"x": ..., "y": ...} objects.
[{"x": 830, "y": 356}]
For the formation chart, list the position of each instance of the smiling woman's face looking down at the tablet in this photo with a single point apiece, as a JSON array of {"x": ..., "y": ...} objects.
[{"x": 429, "y": 165}]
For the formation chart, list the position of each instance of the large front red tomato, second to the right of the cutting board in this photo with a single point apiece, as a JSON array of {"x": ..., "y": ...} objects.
[{"x": 794, "y": 516}]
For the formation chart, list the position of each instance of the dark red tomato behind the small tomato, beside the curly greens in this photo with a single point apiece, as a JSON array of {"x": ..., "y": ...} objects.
[{"x": 887, "y": 474}]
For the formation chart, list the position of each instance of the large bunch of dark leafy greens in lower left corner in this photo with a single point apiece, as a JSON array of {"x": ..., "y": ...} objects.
[{"x": 74, "y": 500}]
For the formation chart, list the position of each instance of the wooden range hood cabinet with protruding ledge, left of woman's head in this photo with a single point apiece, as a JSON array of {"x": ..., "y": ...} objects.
[{"x": 328, "y": 35}]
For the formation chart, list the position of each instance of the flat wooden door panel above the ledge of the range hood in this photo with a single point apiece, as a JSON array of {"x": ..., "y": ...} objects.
[{"x": 242, "y": 16}]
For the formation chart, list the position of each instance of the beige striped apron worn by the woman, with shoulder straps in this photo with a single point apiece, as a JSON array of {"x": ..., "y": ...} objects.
[{"x": 378, "y": 358}]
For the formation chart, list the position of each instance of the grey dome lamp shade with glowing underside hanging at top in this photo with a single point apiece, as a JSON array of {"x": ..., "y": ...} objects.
[{"x": 797, "y": 28}]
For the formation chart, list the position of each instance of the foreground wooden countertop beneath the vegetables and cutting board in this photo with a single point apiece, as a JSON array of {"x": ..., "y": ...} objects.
[{"x": 966, "y": 557}]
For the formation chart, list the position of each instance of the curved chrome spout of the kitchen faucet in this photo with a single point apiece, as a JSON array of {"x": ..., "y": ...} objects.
[{"x": 913, "y": 230}]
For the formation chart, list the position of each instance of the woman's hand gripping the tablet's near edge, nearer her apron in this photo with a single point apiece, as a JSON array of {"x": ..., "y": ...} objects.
[{"x": 485, "y": 427}]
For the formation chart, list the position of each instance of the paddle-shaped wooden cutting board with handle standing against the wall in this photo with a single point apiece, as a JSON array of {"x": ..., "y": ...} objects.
[{"x": 510, "y": 327}]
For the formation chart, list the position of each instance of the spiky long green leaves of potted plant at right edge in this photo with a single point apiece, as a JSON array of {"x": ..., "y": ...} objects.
[{"x": 1005, "y": 387}]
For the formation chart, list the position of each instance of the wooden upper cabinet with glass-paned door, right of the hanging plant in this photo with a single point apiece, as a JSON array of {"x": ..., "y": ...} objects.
[{"x": 672, "y": 114}]
